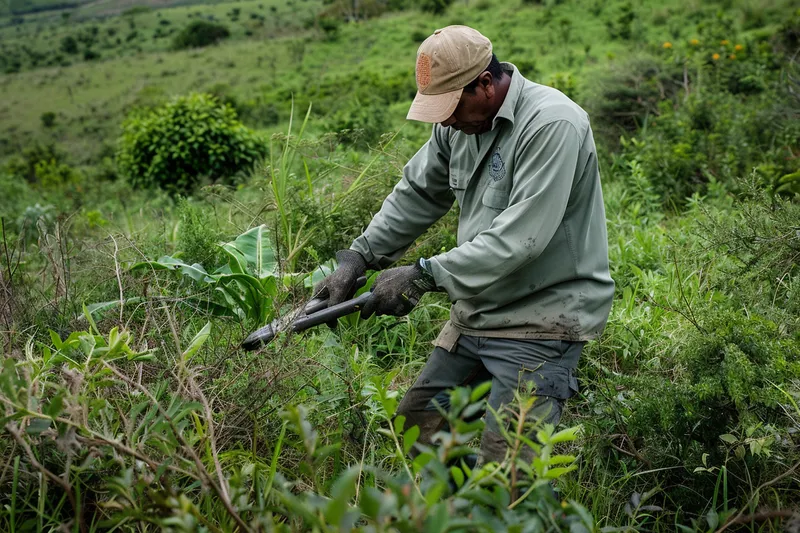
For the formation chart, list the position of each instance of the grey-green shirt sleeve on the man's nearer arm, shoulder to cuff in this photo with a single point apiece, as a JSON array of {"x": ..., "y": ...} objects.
[{"x": 545, "y": 171}]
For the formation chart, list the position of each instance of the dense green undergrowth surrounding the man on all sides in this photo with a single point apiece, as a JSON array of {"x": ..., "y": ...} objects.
[{"x": 128, "y": 405}]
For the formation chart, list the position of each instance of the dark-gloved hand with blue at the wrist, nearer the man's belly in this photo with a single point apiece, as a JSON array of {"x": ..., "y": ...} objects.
[{"x": 396, "y": 291}]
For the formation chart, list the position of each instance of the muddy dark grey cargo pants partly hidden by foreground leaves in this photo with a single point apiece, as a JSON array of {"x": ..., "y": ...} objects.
[{"x": 510, "y": 364}]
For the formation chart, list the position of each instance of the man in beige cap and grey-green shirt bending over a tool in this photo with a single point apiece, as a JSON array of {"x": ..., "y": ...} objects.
[{"x": 529, "y": 279}]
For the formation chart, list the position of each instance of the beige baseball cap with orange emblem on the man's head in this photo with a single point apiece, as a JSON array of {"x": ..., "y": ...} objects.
[{"x": 447, "y": 61}]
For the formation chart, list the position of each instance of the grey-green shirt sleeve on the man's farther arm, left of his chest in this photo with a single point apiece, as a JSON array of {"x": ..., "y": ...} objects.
[{"x": 421, "y": 198}]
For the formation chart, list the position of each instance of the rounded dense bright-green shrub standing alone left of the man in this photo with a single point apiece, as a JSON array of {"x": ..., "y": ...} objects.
[{"x": 192, "y": 136}]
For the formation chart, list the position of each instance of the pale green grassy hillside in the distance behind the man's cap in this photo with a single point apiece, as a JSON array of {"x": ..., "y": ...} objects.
[{"x": 559, "y": 45}]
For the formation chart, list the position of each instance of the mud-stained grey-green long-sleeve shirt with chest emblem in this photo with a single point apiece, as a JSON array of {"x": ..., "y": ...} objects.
[{"x": 532, "y": 254}]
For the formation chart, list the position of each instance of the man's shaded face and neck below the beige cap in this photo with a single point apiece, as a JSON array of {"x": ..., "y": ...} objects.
[{"x": 476, "y": 110}]
